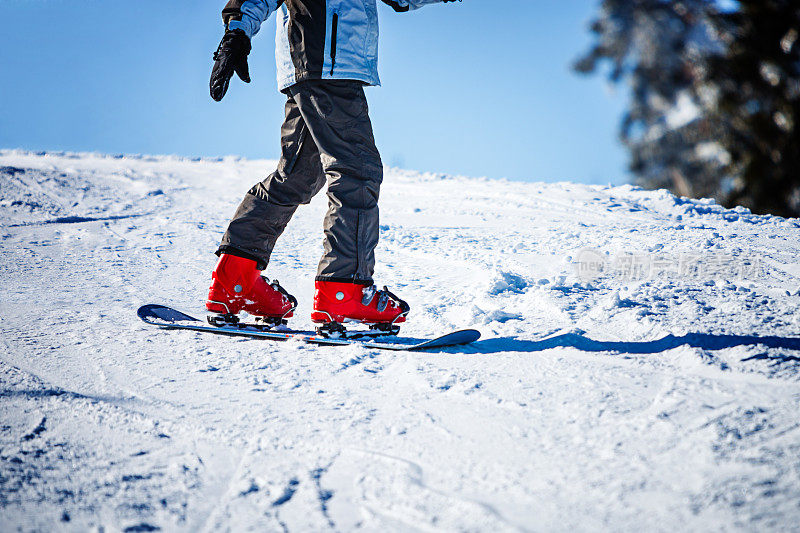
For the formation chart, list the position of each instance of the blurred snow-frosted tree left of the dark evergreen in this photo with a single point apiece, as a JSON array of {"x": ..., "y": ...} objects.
[{"x": 660, "y": 48}]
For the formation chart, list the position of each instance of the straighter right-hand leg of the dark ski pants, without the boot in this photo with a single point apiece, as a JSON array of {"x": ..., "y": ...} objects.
[{"x": 337, "y": 117}]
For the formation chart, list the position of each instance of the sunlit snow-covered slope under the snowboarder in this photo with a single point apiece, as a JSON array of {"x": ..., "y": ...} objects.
[{"x": 639, "y": 366}]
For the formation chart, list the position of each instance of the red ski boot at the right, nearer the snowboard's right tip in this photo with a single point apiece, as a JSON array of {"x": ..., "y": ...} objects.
[{"x": 336, "y": 302}]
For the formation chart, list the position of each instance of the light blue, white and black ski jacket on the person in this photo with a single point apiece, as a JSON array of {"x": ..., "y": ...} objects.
[{"x": 318, "y": 39}]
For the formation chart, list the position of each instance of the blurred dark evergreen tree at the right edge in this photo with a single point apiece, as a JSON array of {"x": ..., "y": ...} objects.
[{"x": 758, "y": 97}]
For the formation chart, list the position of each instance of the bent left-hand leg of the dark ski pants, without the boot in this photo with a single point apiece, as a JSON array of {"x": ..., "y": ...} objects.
[{"x": 269, "y": 205}]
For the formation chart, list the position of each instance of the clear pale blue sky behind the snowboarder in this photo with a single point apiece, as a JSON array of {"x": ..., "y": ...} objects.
[{"x": 480, "y": 88}]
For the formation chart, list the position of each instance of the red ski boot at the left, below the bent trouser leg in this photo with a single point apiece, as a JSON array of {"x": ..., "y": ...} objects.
[{"x": 239, "y": 286}]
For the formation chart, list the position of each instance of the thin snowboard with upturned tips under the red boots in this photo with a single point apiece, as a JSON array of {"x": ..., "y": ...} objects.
[{"x": 169, "y": 318}]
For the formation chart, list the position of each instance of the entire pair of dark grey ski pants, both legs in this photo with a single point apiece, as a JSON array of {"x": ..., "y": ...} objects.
[{"x": 326, "y": 137}]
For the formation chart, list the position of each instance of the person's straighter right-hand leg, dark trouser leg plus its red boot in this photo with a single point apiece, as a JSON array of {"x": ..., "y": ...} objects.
[{"x": 337, "y": 117}]
